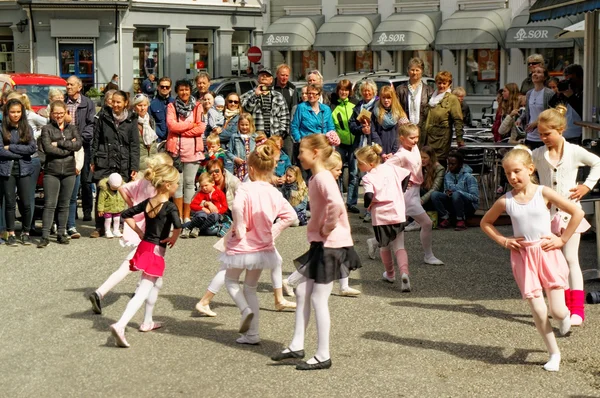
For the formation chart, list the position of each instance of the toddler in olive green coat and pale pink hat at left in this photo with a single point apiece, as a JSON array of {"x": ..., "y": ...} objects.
[{"x": 111, "y": 204}]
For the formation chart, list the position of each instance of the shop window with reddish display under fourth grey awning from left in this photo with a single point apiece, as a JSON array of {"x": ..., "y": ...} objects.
[{"x": 483, "y": 71}]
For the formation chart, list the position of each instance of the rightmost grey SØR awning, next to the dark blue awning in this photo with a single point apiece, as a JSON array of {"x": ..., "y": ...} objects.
[{"x": 523, "y": 34}]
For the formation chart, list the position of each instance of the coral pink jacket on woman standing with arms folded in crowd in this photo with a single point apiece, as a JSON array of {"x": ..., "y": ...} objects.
[{"x": 192, "y": 147}]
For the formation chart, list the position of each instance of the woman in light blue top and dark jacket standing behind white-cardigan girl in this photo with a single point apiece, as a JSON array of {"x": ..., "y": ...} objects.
[{"x": 537, "y": 100}]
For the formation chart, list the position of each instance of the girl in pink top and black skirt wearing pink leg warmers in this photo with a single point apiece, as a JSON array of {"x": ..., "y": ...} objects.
[{"x": 383, "y": 196}]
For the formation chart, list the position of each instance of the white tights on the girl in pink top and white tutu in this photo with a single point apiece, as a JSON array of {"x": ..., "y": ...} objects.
[{"x": 247, "y": 298}]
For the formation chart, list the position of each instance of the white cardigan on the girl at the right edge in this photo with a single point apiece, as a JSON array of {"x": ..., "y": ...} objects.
[{"x": 563, "y": 177}]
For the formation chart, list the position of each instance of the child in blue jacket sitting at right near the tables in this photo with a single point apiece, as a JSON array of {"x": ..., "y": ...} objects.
[{"x": 461, "y": 194}]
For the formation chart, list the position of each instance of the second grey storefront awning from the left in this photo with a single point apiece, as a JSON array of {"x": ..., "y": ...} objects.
[{"x": 347, "y": 33}]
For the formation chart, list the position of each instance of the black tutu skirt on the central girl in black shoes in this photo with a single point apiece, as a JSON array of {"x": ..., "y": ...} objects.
[{"x": 326, "y": 264}]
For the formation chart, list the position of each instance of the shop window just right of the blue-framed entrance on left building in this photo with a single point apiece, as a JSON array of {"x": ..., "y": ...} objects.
[{"x": 148, "y": 54}]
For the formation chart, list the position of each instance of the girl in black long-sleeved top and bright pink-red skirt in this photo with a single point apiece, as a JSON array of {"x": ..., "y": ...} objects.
[{"x": 160, "y": 215}]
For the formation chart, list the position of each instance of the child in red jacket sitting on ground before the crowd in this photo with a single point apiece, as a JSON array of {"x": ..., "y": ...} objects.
[{"x": 210, "y": 205}]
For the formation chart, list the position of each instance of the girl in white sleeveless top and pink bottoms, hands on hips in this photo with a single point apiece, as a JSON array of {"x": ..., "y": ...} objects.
[{"x": 537, "y": 263}]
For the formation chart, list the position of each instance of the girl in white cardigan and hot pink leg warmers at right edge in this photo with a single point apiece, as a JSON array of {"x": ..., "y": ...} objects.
[{"x": 557, "y": 163}]
